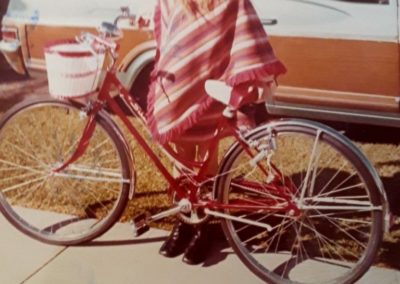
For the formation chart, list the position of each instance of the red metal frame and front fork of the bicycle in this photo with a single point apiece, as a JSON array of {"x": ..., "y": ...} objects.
[{"x": 225, "y": 124}]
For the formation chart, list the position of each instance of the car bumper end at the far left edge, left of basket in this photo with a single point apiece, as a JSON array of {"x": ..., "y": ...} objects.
[{"x": 13, "y": 54}]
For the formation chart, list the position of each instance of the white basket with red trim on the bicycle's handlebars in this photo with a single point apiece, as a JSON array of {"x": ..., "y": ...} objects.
[{"x": 73, "y": 69}]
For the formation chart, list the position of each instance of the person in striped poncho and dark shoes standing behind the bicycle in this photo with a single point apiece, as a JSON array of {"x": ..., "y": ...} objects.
[{"x": 197, "y": 41}]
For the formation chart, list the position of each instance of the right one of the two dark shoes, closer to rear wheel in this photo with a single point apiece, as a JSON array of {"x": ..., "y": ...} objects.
[{"x": 198, "y": 247}]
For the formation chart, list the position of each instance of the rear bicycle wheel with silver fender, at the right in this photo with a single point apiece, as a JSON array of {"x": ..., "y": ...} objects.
[{"x": 306, "y": 203}]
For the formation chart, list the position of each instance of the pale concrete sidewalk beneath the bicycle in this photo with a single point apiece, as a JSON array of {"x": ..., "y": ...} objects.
[{"x": 119, "y": 258}]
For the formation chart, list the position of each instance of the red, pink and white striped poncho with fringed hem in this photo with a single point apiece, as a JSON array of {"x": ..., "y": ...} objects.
[{"x": 227, "y": 44}]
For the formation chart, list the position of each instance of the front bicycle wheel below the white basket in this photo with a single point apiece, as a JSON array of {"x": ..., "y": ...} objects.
[{"x": 74, "y": 205}]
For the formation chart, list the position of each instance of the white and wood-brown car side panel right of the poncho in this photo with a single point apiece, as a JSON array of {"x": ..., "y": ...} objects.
[{"x": 342, "y": 56}]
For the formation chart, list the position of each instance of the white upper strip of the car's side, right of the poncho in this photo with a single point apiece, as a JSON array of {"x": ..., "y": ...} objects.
[{"x": 344, "y": 19}]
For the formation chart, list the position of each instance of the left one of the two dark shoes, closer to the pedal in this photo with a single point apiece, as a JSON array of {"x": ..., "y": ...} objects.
[{"x": 178, "y": 240}]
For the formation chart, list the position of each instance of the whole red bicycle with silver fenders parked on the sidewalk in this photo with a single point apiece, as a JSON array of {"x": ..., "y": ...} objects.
[{"x": 292, "y": 195}]
